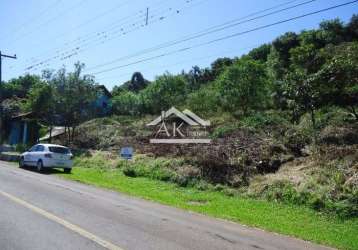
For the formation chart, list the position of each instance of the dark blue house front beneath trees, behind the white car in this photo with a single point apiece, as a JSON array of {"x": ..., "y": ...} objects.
[{"x": 24, "y": 129}]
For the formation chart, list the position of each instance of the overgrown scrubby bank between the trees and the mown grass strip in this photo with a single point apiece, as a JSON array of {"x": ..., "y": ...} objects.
[{"x": 263, "y": 156}]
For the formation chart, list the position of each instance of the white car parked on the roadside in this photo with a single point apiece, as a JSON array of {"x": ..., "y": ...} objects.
[{"x": 47, "y": 156}]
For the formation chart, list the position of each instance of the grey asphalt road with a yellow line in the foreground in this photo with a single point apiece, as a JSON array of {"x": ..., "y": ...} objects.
[{"x": 42, "y": 211}]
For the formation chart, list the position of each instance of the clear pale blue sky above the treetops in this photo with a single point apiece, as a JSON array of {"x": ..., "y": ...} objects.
[{"x": 112, "y": 37}]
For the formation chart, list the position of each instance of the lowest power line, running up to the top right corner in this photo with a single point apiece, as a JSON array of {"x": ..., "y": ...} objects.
[{"x": 227, "y": 37}]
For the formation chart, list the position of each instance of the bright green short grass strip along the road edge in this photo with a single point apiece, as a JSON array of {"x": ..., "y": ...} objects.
[{"x": 296, "y": 221}]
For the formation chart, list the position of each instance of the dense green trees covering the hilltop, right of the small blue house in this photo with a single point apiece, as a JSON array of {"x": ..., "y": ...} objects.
[{"x": 299, "y": 73}]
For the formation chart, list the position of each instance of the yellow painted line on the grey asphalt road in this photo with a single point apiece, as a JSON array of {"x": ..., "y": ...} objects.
[{"x": 62, "y": 222}]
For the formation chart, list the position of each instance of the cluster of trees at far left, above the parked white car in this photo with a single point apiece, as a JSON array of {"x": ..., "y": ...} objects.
[{"x": 62, "y": 98}]
